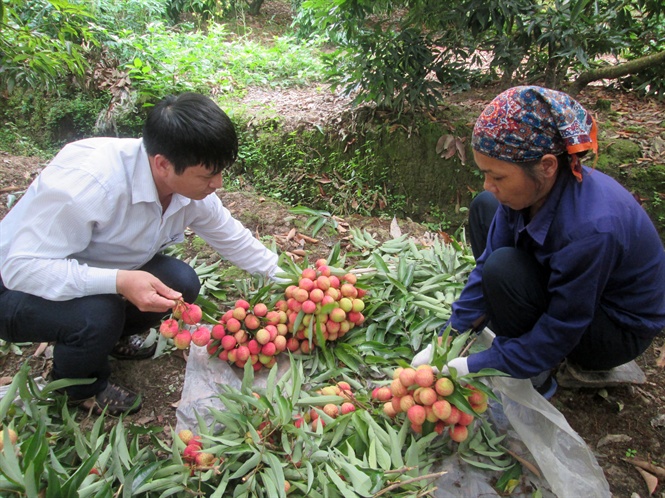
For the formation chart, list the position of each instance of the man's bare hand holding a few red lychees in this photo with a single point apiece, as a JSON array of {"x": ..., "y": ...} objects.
[{"x": 145, "y": 291}]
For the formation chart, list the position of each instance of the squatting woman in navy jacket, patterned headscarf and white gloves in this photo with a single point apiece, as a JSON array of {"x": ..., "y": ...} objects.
[{"x": 569, "y": 265}]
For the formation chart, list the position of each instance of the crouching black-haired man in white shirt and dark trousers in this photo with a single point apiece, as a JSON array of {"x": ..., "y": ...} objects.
[{"x": 80, "y": 261}]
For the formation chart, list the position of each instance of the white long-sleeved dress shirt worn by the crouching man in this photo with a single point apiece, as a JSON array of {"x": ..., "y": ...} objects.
[{"x": 95, "y": 210}]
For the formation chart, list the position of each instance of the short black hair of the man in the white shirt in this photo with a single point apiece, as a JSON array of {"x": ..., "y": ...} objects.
[{"x": 190, "y": 129}]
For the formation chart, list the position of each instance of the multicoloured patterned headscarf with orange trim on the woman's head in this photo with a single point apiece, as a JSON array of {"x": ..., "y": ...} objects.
[{"x": 526, "y": 122}]
